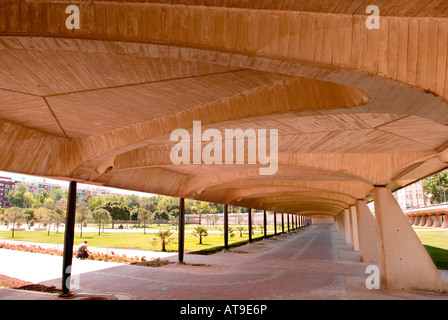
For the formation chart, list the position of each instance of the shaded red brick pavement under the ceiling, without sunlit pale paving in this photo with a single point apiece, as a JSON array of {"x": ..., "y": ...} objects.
[{"x": 301, "y": 265}]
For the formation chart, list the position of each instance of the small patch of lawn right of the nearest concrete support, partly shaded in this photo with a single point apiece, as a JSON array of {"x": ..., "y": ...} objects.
[{"x": 436, "y": 243}]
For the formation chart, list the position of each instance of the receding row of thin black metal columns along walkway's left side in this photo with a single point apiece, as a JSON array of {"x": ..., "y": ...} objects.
[{"x": 293, "y": 222}]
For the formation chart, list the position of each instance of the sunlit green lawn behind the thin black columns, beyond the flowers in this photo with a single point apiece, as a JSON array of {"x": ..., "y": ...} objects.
[{"x": 126, "y": 240}]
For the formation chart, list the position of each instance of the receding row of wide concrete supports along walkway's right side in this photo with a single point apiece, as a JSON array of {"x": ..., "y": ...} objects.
[{"x": 387, "y": 239}]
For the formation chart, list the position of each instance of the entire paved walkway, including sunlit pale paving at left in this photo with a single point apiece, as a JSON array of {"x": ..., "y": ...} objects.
[{"x": 314, "y": 263}]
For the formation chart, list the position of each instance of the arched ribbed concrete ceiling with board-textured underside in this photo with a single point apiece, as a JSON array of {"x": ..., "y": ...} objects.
[{"x": 353, "y": 107}]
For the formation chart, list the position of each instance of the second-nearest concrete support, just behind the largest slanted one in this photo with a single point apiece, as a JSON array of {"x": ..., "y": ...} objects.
[{"x": 368, "y": 233}]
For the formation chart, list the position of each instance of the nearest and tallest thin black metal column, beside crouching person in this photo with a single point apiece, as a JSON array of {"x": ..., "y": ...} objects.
[{"x": 69, "y": 236}]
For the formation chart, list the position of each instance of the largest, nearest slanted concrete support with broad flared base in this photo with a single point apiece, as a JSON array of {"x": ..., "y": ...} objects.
[{"x": 404, "y": 262}]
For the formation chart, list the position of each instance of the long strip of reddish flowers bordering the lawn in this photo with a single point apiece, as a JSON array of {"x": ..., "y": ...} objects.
[{"x": 107, "y": 257}]
